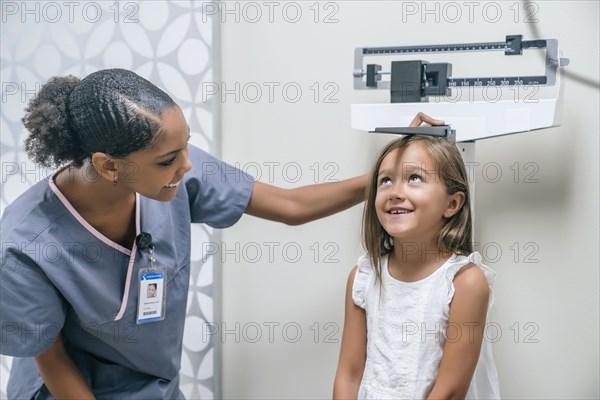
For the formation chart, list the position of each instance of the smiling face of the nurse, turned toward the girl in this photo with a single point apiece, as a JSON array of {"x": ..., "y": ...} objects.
[{"x": 157, "y": 171}]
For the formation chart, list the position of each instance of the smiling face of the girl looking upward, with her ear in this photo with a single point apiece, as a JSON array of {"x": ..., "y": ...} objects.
[{"x": 411, "y": 200}]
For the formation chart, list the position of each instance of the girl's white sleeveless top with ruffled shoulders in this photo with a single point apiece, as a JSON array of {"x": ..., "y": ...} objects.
[{"x": 407, "y": 326}]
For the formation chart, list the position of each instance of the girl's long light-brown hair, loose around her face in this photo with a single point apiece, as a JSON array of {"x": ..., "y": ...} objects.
[{"x": 455, "y": 235}]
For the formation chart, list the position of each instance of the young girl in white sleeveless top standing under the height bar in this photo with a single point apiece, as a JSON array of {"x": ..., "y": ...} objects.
[{"x": 416, "y": 303}]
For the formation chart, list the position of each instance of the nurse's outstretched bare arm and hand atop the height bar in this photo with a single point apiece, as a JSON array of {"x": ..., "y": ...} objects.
[{"x": 308, "y": 203}]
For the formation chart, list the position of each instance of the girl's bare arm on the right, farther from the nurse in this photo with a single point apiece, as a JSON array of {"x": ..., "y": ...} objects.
[{"x": 466, "y": 323}]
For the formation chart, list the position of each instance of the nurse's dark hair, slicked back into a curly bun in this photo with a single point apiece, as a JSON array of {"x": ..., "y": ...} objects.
[{"x": 113, "y": 111}]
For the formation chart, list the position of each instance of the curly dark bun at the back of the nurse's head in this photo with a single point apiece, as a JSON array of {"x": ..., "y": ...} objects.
[{"x": 51, "y": 142}]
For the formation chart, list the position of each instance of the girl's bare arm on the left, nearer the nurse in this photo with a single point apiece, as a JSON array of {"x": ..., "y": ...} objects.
[{"x": 353, "y": 352}]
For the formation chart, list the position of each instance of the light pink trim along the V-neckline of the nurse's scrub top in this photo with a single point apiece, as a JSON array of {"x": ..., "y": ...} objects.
[{"x": 131, "y": 253}]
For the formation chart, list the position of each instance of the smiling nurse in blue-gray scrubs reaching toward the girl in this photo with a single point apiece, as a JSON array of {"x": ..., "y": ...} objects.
[{"x": 127, "y": 173}]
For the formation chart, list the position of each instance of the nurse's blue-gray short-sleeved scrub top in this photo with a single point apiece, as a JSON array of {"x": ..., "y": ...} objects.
[{"x": 60, "y": 276}]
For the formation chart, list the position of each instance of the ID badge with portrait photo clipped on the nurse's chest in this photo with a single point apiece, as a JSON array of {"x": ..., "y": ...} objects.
[{"x": 152, "y": 295}]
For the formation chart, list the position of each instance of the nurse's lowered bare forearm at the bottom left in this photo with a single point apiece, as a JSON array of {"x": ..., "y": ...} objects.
[{"x": 60, "y": 375}]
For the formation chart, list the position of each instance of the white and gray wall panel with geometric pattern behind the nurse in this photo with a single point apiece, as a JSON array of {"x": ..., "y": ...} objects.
[{"x": 169, "y": 43}]
